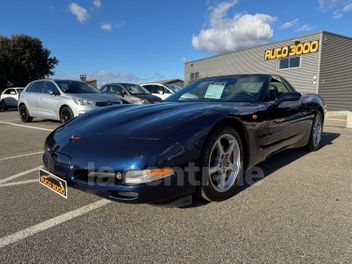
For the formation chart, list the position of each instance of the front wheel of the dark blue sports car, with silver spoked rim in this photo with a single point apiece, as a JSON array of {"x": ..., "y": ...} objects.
[{"x": 222, "y": 164}]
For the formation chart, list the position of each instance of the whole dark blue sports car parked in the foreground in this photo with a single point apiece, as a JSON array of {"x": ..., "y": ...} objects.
[{"x": 200, "y": 141}]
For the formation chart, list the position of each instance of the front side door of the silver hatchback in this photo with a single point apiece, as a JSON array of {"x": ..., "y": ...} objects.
[{"x": 50, "y": 101}]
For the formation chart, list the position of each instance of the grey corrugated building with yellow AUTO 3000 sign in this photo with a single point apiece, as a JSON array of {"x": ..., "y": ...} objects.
[{"x": 316, "y": 63}]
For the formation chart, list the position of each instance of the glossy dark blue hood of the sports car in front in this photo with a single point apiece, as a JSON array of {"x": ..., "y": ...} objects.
[{"x": 154, "y": 121}]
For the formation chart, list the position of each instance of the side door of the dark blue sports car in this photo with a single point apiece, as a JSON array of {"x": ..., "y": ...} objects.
[{"x": 287, "y": 122}]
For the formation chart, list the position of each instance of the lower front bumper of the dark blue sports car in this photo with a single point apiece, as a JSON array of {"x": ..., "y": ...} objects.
[{"x": 161, "y": 190}]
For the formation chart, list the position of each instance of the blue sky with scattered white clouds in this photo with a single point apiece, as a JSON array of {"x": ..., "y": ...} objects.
[{"x": 138, "y": 40}]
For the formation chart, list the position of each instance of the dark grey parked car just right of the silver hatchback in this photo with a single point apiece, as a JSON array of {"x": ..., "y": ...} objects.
[{"x": 132, "y": 93}]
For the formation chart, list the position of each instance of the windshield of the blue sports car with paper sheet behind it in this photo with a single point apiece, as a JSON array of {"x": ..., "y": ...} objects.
[{"x": 222, "y": 89}]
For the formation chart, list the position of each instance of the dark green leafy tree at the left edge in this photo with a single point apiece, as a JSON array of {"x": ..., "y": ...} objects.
[{"x": 24, "y": 59}]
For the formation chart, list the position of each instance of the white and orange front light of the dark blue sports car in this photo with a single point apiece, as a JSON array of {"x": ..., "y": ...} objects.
[{"x": 144, "y": 176}]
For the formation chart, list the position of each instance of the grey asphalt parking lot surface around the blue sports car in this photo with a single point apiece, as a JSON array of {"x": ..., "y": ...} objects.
[{"x": 300, "y": 212}]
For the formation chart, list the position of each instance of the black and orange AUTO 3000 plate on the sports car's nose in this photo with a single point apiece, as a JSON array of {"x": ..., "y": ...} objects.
[{"x": 52, "y": 182}]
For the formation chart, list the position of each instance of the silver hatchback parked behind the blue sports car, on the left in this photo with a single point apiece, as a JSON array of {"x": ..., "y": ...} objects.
[{"x": 61, "y": 100}]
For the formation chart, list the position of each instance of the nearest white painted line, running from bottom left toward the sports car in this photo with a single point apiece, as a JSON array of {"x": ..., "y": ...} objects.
[{"x": 13, "y": 238}]
